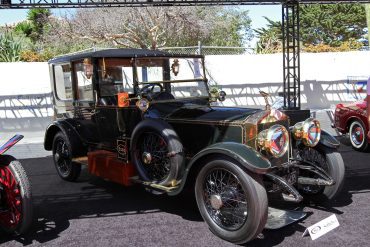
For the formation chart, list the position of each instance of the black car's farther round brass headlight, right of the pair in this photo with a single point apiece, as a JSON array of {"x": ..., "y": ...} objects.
[{"x": 308, "y": 131}]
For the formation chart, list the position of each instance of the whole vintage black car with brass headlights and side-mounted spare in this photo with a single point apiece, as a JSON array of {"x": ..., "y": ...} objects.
[{"x": 149, "y": 117}]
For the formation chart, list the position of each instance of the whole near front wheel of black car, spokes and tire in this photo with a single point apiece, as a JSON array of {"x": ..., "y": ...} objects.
[{"x": 233, "y": 203}]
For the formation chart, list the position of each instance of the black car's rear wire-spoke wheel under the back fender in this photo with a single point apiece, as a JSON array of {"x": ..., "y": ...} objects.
[{"x": 62, "y": 157}]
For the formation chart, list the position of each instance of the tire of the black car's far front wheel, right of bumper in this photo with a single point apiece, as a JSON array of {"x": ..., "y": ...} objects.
[{"x": 335, "y": 168}]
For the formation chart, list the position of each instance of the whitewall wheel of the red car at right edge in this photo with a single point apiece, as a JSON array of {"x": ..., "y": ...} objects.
[{"x": 357, "y": 136}]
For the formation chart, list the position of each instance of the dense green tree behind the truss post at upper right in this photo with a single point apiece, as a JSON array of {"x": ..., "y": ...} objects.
[{"x": 334, "y": 25}]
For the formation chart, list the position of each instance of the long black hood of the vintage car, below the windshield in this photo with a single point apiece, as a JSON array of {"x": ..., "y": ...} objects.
[{"x": 198, "y": 112}]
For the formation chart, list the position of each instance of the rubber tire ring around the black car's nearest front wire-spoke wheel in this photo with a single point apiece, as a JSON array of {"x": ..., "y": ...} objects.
[{"x": 256, "y": 200}]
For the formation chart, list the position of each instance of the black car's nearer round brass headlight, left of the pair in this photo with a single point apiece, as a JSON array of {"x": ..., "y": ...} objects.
[{"x": 275, "y": 140}]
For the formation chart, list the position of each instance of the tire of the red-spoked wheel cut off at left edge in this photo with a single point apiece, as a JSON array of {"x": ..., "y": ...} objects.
[{"x": 25, "y": 191}]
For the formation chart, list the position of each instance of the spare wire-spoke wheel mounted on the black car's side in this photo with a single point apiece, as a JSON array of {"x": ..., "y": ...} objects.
[{"x": 157, "y": 152}]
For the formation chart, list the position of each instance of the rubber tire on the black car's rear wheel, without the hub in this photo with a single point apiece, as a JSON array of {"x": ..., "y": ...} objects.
[{"x": 73, "y": 169}]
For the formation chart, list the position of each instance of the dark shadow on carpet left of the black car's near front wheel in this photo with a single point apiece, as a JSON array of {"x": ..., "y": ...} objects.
[{"x": 92, "y": 198}]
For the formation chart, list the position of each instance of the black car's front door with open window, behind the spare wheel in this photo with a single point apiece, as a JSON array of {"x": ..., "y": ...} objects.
[{"x": 115, "y": 75}]
